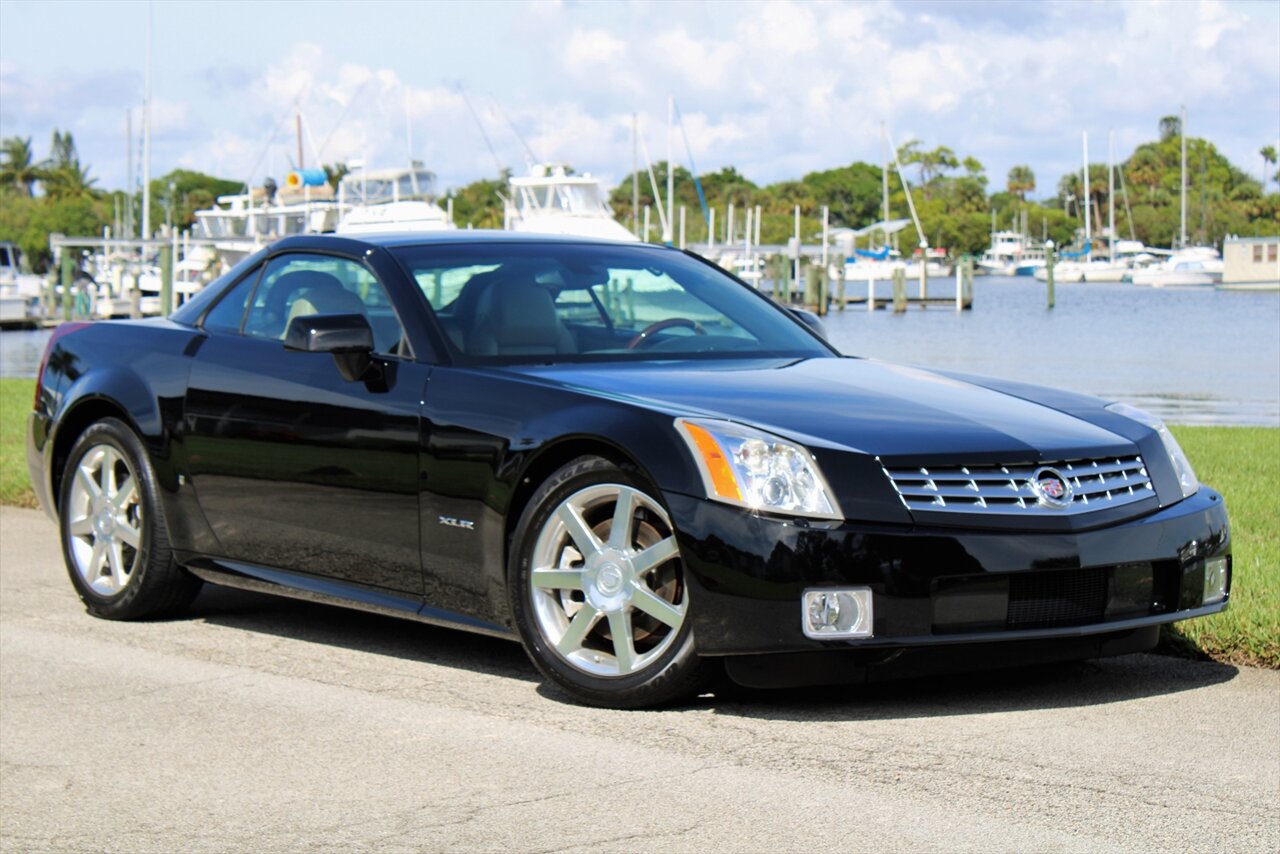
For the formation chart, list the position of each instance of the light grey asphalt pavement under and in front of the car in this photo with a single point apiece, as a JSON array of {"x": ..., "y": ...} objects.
[{"x": 264, "y": 724}]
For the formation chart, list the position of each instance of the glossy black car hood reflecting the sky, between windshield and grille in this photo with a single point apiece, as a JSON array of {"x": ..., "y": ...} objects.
[{"x": 892, "y": 412}]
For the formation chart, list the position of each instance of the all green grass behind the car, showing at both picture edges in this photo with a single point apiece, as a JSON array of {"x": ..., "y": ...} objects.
[{"x": 1244, "y": 464}]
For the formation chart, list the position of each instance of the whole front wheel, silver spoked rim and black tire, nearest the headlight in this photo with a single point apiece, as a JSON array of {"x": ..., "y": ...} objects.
[{"x": 600, "y": 593}]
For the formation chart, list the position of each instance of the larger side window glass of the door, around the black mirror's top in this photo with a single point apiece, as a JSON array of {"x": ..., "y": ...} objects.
[{"x": 296, "y": 286}]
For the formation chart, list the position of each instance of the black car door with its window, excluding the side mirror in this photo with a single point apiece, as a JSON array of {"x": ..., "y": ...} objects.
[{"x": 294, "y": 467}]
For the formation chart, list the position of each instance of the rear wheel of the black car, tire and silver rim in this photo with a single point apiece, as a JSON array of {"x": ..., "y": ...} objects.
[{"x": 149, "y": 583}]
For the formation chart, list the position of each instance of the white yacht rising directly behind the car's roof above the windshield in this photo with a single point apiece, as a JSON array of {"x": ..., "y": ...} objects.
[{"x": 552, "y": 202}]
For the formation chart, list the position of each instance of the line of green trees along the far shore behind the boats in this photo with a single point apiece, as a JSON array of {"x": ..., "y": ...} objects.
[{"x": 952, "y": 193}]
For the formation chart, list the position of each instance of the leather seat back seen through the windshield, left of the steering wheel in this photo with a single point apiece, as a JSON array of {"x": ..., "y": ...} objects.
[{"x": 518, "y": 318}]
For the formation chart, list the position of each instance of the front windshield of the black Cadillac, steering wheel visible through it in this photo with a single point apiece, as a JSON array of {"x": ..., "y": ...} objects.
[{"x": 518, "y": 303}]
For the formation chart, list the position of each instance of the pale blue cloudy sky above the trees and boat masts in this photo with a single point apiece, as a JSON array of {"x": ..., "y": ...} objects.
[{"x": 776, "y": 89}]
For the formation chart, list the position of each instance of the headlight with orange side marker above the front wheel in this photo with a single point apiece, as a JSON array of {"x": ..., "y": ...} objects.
[{"x": 755, "y": 469}]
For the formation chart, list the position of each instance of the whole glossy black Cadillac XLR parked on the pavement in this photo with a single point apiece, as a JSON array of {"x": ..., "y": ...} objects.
[{"x": 623, "y": 456}]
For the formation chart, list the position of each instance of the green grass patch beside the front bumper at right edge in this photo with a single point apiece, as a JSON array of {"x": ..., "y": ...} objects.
[{"x": 1244, "y": 464}]
